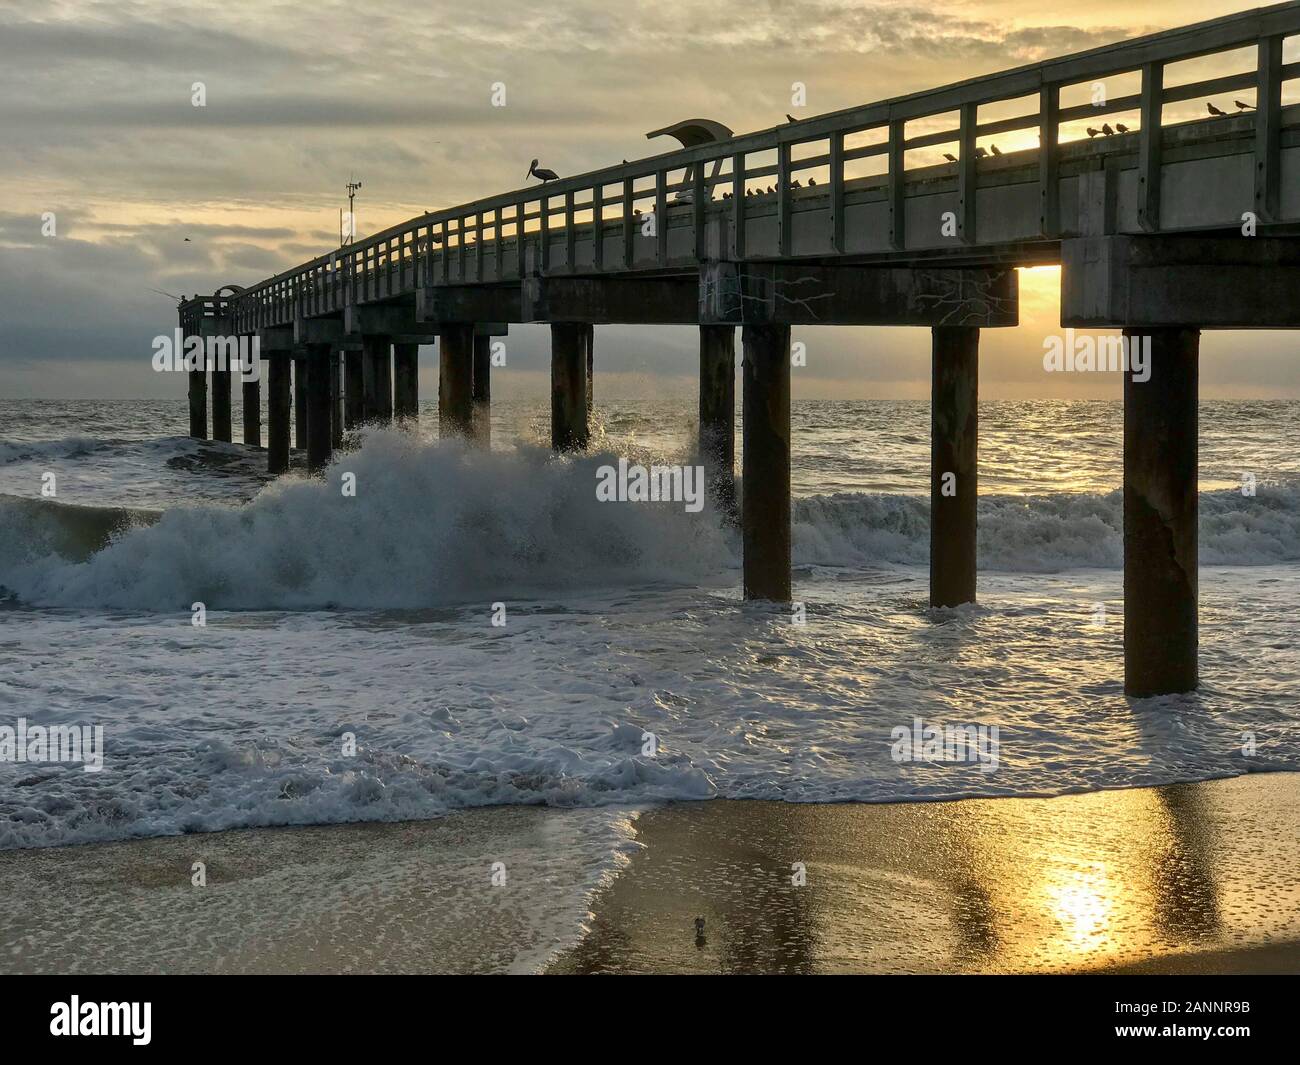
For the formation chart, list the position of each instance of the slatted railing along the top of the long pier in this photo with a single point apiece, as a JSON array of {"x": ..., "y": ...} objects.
[{"x": 509, "y": 236}]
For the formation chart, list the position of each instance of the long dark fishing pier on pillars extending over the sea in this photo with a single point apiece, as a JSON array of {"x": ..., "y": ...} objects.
[{"x": 1163, "y": 232}]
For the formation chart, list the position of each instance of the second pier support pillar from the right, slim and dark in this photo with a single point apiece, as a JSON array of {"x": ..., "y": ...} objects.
[{"x": 954, "y": 475}]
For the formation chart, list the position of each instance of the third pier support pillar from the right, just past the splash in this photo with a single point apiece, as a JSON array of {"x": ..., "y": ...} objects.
[{"x": 766, "y": 497}]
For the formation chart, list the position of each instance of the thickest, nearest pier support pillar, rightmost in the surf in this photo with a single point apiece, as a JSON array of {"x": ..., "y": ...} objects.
[{"x": 1160, "y": 516}]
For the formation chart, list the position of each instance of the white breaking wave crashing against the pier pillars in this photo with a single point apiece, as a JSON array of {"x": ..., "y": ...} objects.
[{"x": 443, "y": 523}]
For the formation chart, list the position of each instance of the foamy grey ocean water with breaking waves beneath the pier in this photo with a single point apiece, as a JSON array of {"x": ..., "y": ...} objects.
[{"x": 336, "y": 621}]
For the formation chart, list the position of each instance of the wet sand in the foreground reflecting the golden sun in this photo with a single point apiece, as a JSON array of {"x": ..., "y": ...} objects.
[{"x": 1198, "y": 878}]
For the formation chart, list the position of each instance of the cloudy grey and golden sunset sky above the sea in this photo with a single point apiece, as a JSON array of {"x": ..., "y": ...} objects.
[{"x": 101, "y": 131}]
